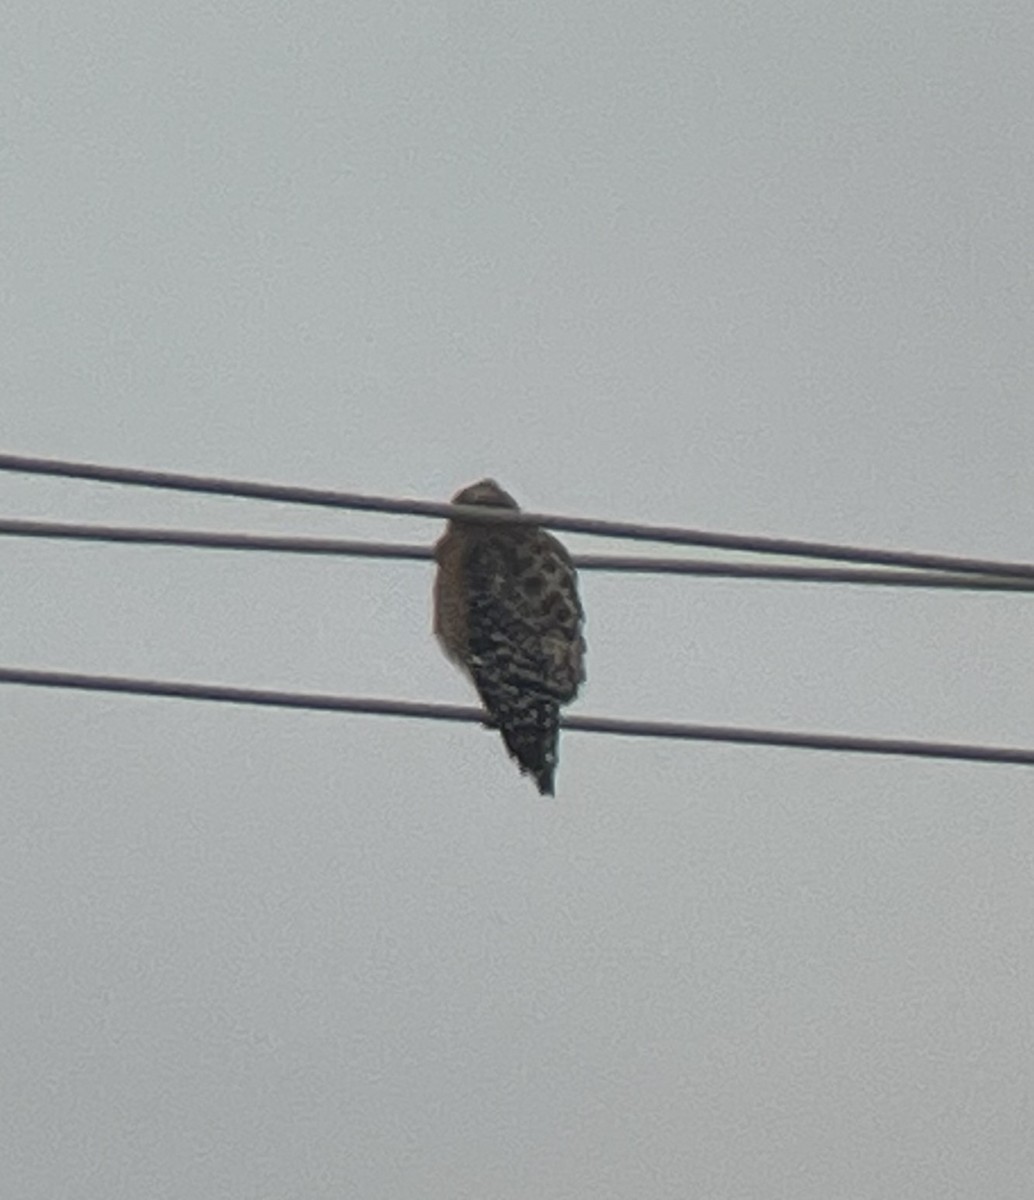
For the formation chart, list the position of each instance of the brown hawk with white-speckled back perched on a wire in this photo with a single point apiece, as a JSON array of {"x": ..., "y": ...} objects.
[{"x": 507, "y": 611}]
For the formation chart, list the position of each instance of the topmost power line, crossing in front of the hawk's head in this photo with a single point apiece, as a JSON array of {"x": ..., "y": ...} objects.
[{"x": 588, "y": 526}]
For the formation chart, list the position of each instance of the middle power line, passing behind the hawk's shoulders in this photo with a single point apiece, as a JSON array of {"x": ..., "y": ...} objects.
[{"x": 199, "y": 539}]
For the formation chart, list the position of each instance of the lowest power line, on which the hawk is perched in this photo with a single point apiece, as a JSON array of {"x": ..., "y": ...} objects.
[{"x": 615, "y": 727}]
